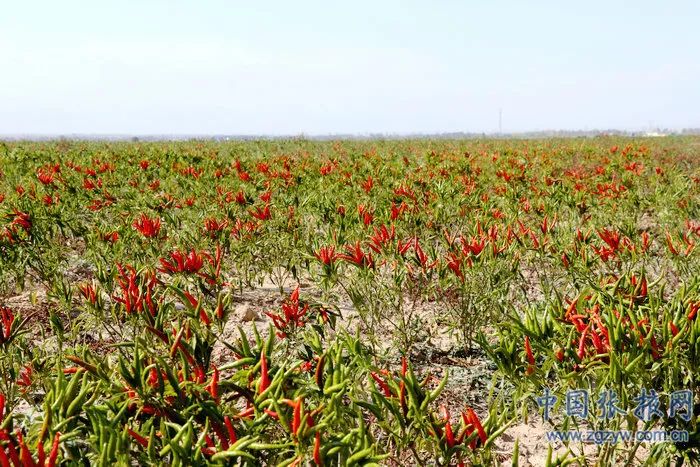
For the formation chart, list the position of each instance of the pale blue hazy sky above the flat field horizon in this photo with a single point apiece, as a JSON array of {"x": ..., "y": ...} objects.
[{"x": 202, "y": 67}]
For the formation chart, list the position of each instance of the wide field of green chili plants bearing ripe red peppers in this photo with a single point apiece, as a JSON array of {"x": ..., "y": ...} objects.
[{"x": 379, "y": 302}]
